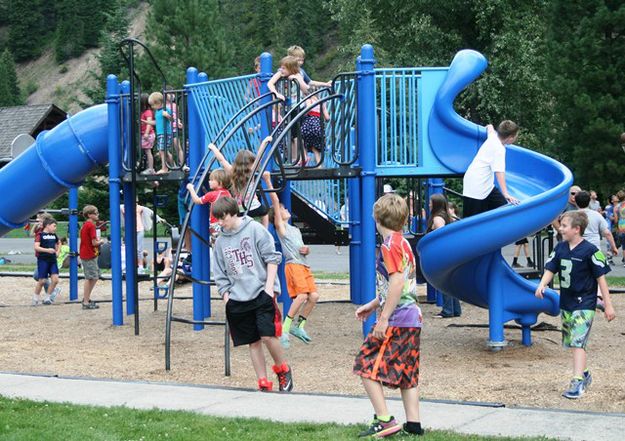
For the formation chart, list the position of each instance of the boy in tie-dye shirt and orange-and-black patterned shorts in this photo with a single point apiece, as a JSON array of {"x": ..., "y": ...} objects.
[{"x": 390, "y": 354}]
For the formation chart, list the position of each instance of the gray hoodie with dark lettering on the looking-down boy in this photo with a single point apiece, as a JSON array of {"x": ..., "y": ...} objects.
[{"x": 241, "y": 257}]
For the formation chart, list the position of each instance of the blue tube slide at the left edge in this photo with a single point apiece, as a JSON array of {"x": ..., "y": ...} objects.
[{"x": 58, "y": 160}]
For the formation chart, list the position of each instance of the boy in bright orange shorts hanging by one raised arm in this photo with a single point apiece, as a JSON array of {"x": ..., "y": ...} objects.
[{"x": 300, "y": 281}]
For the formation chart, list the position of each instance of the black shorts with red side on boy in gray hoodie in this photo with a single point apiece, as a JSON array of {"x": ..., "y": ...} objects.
[{"x": 249, "y": 321}]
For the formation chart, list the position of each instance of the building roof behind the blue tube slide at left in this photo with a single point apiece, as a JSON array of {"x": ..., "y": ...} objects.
[{"x": 26, "y": 119}]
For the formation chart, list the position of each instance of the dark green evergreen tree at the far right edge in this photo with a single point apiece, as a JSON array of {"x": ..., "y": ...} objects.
[{"x": 586, "y": 74}]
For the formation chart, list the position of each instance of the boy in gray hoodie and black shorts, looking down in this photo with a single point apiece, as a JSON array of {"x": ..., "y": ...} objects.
[{"x": 246, "y": 264}]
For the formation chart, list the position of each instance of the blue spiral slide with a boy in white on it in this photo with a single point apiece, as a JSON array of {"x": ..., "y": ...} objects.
[{"x": 464, "y": 259}]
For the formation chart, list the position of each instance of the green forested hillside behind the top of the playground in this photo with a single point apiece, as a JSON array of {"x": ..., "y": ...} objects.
[{"x": 556, "y": 66}]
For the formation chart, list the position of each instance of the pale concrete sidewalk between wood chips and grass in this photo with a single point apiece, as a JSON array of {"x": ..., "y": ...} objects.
[{"x": 217, "y": 401}]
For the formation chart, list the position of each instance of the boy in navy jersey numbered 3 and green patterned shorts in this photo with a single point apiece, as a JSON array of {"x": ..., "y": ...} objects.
[{"x": 580, "y": 266}]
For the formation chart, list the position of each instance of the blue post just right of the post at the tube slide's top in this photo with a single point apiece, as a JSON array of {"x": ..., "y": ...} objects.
[{"x": 130, "y": 219}]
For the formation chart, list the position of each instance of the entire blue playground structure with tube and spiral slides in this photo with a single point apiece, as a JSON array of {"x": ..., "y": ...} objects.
[{"x": 385, "y": 123}]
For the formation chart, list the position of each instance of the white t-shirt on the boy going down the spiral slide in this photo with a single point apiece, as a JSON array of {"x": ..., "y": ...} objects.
[{"x": 479, "y": 180}]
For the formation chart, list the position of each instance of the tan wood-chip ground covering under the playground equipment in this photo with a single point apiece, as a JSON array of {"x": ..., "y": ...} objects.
[{"x": 65, "y": 340}]
